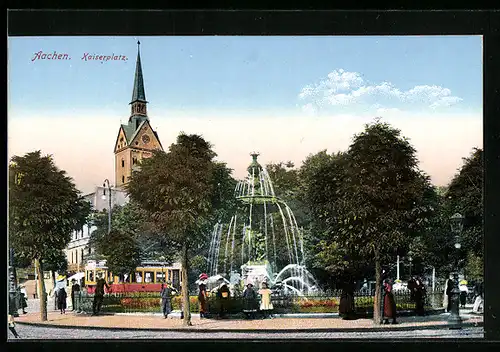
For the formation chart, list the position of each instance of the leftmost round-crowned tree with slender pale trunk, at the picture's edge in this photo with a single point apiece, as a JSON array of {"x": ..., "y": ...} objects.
[{"x": 44, "y": 209}]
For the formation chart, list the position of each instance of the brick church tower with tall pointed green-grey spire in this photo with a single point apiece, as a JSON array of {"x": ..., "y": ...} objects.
[{"x": 136, "y": 139}]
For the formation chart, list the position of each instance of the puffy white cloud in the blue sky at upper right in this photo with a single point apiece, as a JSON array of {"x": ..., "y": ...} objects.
[{"x": 341, "y": 88}]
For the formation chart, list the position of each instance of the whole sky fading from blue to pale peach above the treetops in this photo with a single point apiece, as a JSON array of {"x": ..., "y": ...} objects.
[{"x": 285, "y": 97}]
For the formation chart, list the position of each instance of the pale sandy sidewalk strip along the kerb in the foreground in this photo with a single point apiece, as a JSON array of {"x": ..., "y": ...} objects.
[{"x": 151, "y": 322}]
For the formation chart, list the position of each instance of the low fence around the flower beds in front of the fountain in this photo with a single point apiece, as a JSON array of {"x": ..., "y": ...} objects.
[{"x": 327, "y": 302}]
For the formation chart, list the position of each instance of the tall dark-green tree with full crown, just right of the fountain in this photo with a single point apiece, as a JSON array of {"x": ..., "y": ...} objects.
[{"x": 371, "y": 200}]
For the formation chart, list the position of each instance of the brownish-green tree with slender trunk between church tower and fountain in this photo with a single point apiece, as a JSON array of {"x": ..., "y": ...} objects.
[{"x": 179, "y": 192}]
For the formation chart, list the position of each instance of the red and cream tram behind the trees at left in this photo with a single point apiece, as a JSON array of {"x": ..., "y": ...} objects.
[{"x": 147, "y": 277}]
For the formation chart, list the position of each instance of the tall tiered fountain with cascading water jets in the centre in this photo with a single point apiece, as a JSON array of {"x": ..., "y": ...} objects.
[{"x": 261, "y": 238}]
